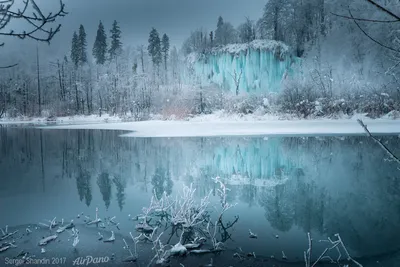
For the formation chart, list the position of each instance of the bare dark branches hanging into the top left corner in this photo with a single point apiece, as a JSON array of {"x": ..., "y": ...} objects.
[{"x": 37, "y": 21}]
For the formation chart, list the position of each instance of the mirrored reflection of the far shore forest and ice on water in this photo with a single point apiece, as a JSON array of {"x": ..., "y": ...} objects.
[{"x": 323, "y": 185}]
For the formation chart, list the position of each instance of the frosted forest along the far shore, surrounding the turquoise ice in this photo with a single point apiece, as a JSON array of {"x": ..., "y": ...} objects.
[{"x": 349, "y": 54}]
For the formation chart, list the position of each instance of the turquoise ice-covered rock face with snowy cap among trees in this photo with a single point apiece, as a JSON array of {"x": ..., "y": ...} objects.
[{"x": 262, "y": 65}]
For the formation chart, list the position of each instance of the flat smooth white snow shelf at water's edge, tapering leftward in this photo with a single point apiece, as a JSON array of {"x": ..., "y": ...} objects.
[{"x": 243, "y": 128}]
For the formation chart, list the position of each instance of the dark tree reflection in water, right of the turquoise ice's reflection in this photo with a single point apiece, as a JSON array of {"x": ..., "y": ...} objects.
[{"x": 345, "y": 186}]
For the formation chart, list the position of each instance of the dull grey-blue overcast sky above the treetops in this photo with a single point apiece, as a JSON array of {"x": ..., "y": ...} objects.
[{"x": 176, "y": 18}]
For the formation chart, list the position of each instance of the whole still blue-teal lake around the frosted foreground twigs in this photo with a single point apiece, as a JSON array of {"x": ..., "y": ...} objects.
[{"x": 281, "y": 188}]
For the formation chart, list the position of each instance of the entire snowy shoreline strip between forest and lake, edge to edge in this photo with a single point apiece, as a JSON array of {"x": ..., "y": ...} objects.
[{"x": 217, "y": 125}]
